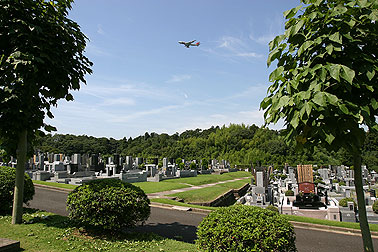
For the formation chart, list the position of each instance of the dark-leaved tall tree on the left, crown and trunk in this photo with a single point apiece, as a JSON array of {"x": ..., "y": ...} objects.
[{"x": 41, "y": 60}]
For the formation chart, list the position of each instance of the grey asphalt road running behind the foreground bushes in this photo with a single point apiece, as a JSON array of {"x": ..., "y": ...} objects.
[{"x": 182, "y": 225}]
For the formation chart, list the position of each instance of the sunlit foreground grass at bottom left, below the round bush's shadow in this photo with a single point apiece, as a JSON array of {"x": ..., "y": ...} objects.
[{"x": 55, "y": 234}]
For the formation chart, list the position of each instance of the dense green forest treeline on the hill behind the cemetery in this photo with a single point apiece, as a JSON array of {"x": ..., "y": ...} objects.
[{"x": 239, "y": 144}]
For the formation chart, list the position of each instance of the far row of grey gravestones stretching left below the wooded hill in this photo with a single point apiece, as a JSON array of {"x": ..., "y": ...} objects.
[{"x": 78, "y": 168}]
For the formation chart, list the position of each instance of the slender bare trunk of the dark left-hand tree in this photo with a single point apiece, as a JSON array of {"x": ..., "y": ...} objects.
[{"x": 20, "y": 174}]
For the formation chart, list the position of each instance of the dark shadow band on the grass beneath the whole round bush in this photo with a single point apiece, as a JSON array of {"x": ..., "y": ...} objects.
[{"x": 147, "y": 232}]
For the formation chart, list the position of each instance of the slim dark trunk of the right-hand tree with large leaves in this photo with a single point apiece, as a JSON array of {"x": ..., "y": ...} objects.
[{"x": 365, "y": 231}]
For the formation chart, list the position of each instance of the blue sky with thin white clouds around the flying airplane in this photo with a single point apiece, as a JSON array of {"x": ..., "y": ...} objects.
[{"x": 144, "y": 81}]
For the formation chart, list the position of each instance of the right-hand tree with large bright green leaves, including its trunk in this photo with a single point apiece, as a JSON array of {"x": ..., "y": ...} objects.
[{"x": 325, "y": 86}]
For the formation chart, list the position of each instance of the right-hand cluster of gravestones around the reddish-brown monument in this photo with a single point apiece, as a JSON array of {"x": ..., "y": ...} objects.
[{"x": 294, "y": 192}]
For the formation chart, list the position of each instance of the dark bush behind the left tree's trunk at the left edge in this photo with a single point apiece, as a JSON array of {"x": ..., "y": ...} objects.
[{"x": 7, "y": 182}]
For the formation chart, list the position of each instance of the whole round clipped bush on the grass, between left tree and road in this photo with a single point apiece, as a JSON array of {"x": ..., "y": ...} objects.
[{"x": 108, "y": 204}]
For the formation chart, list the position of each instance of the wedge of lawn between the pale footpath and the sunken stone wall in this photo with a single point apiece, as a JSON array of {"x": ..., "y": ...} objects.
[{"x": 209, "y": 193}]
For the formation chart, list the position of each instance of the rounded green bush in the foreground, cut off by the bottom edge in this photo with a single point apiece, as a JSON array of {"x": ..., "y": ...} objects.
[{"x": 245, "y": 228}]
